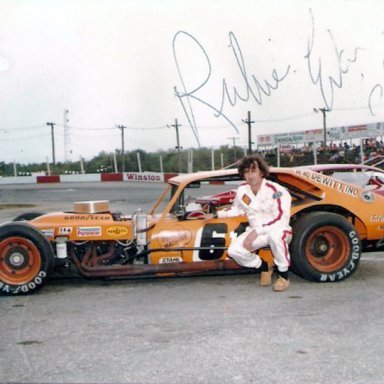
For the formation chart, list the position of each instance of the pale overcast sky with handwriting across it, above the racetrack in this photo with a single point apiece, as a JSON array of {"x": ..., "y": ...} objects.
[{"x": 143, "y": 64}]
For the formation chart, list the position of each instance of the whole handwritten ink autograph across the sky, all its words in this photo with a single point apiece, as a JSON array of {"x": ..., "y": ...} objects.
[{"x": 251, "y": 88}]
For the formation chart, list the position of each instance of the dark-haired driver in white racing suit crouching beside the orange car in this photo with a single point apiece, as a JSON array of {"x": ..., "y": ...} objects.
[{"x": 267, "y": 206}]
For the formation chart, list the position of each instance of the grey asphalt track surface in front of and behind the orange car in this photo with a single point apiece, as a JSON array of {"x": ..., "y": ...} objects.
[{"x": 213, "y": 329}]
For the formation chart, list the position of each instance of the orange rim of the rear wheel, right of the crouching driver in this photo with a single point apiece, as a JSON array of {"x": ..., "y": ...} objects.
[{"x": 327, "y": 249}]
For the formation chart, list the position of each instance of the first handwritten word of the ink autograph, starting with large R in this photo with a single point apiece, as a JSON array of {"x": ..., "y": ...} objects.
[{"x": 251, "y": 87}]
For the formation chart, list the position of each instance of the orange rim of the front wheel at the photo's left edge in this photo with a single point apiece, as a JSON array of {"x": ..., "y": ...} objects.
[{"x": 20, "y": 260}]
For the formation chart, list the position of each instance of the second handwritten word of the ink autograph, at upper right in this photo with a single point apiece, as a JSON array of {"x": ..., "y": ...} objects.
[{"x": 326, "y": 82}]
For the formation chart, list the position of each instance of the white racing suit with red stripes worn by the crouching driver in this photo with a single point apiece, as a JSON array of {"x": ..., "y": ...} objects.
[{"x": 268, "y": 214}]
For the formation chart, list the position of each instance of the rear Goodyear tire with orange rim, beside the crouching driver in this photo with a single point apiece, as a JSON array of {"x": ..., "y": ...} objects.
[{"x": 325, "y": 247}]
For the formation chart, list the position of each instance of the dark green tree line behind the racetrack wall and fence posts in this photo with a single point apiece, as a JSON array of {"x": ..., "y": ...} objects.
[{"x": 171, "y": 161}]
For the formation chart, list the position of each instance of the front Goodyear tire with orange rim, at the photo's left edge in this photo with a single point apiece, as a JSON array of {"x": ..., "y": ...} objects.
[{"x": 26, "y": 259}]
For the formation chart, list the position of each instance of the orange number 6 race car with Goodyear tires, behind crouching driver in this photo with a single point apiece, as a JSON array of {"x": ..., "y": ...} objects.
[{"x": 333, "y": 223}]
